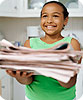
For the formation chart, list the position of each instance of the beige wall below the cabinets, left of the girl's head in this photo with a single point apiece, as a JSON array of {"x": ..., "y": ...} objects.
[{"x": 16, "y": 28}]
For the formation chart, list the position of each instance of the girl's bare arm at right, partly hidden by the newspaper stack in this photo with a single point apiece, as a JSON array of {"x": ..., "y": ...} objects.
[{"x": 76, "y": 46}]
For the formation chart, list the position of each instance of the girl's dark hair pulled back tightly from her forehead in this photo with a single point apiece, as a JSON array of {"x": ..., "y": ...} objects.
[{"x": 65, "y": 12}]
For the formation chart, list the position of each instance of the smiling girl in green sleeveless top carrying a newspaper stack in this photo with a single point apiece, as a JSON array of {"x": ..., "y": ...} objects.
[{"x": 54, "y": 16}]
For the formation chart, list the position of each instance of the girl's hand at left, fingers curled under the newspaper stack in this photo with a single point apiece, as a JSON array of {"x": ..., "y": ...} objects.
[{"x": 22, "y": 77}]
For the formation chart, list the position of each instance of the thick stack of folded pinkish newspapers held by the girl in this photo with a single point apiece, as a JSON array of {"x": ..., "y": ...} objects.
[{"x": 58, "y": 62}]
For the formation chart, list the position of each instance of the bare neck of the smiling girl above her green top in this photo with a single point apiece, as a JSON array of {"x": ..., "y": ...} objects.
[{"x": 51, "y": 39}]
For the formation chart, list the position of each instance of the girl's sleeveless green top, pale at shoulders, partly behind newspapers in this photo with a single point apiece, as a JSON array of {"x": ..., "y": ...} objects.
[{"x": 46, "y": 88}]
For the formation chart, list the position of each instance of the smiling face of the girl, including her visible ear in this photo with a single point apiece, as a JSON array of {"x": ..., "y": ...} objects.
[{"x": 52, "y": 19}]
